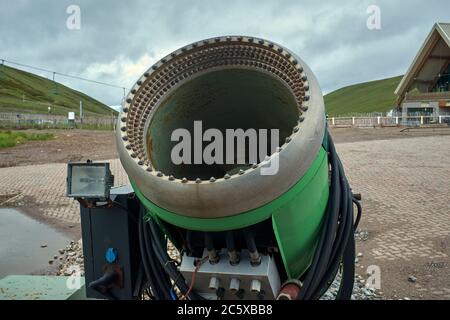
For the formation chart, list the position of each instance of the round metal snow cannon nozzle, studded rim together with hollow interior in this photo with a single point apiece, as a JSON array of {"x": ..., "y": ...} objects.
[{"x": 226, "y": 82}]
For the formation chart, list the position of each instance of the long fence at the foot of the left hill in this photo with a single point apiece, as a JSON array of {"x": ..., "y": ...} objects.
[{"x": 48, "y": 121}]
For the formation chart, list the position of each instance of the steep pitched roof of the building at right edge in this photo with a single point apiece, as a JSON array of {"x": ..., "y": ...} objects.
[{"x": 433, "y": 56}]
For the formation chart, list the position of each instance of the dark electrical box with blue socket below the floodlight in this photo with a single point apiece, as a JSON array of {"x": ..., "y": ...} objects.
[{"x": 110, "y": 242}]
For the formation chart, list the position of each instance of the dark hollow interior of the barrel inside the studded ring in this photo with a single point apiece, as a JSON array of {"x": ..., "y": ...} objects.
[{"x": 220, "y": 99}]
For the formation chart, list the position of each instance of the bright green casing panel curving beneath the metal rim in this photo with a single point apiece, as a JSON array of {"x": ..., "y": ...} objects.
[{"x": 296, "y": 217}]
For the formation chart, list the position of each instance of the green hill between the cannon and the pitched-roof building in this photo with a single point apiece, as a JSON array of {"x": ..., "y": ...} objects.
[{"x": 367, "y": 97}]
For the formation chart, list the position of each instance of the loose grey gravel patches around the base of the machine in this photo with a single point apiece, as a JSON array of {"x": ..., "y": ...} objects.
[{"x": 72, "y": 256}]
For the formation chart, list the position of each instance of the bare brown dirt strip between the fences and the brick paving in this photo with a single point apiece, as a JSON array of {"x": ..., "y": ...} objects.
[{"x": 81, "y": 145}]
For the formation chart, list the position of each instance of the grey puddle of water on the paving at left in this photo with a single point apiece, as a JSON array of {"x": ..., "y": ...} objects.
[{"x": 20, "y": 243}]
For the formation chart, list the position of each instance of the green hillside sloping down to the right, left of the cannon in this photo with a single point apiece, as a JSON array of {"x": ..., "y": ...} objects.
[{"x": 24, "y": 92}]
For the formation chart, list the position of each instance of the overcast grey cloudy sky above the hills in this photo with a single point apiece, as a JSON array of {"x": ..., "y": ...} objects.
[{"x": 119, "y": 40}]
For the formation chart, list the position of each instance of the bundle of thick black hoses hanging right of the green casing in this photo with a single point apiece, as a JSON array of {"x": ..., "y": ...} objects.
[{"x": 336, "y": 245}]
